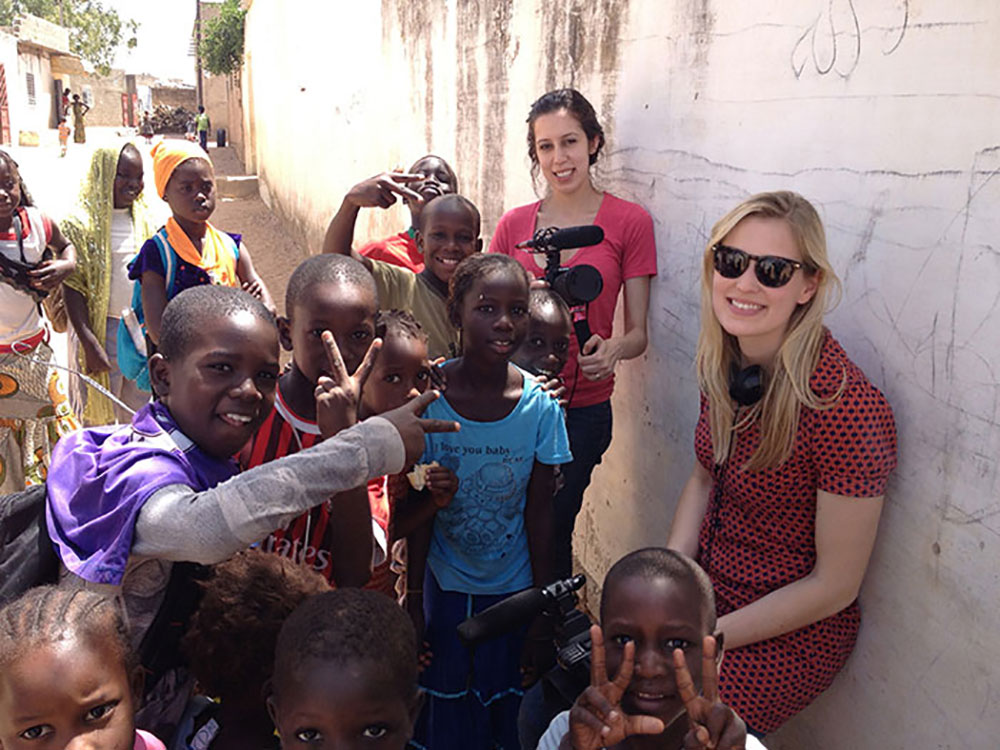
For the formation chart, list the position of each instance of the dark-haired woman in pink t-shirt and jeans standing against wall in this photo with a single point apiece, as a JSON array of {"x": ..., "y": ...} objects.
[{"x": 564, "y": 140}]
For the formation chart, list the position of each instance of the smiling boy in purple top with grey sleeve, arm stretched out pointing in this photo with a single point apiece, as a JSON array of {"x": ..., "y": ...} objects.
[{"x": 125, "y": 504}]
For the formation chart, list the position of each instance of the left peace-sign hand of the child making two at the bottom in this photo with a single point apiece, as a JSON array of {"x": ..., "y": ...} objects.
[{"x": 597, "y": 719}]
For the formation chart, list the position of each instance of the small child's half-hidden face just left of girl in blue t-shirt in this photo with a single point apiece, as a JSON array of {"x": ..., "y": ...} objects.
[{"x": 401, "y": 373}]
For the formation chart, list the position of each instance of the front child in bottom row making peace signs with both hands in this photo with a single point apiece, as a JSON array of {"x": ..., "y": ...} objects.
[{"x": 654, "y": 665}]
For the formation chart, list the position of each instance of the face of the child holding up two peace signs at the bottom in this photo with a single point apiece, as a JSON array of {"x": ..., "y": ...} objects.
[{"x": 658, "y": 615}]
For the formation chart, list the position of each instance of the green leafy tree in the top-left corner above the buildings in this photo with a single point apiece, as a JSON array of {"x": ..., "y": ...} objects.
[{"x": 95, "y": 31}]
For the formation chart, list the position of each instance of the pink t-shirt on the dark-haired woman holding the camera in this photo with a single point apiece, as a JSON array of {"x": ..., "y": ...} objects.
[{"x": 628, "y": 251}]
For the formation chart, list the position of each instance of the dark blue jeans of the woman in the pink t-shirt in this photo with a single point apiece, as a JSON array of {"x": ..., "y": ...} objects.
[{"x": 589, "y": 430}]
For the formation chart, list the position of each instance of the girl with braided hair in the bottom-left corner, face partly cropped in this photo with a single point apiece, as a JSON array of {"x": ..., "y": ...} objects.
[{"x": 68, "y": 675}]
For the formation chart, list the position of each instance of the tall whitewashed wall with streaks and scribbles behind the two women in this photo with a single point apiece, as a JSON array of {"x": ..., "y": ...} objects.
[{"x": 885, "y": 113}]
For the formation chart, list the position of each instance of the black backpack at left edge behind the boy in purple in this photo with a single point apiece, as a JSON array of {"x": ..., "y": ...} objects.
[{"x": 27, "y": 558}]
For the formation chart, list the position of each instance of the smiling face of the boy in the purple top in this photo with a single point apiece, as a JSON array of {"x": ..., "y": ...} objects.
[{"x": 222, "y": 388}]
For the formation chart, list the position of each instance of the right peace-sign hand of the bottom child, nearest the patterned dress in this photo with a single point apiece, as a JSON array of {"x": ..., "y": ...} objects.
[{"x": 714, "y": 725}]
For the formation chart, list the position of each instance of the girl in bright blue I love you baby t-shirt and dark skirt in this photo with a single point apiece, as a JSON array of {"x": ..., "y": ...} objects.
[{"x": 493, "y": 539}]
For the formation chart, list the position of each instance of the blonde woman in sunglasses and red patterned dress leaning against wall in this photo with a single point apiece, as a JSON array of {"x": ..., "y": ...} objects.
[{"x": 794, "y": 448}]
